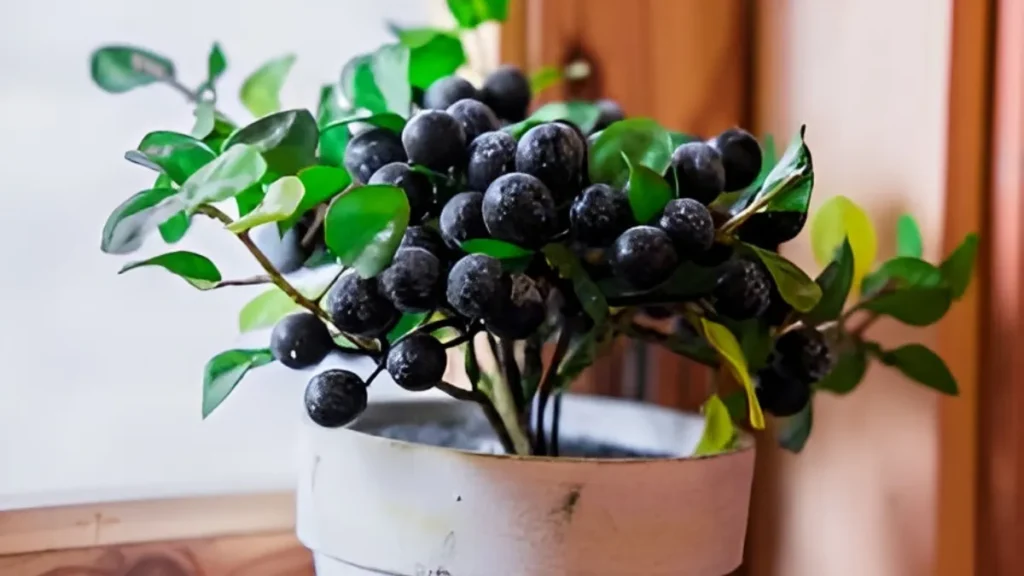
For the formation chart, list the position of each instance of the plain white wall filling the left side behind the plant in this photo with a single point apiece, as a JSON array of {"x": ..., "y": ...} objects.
[{"x": 101, "y": 375}]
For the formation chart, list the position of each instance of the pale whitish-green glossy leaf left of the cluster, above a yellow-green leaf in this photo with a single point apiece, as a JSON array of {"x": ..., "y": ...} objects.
[{"x": 234, "y": 172}]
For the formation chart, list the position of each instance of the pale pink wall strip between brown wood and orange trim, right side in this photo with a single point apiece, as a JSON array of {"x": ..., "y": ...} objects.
[{"x": 869, "y": 78}]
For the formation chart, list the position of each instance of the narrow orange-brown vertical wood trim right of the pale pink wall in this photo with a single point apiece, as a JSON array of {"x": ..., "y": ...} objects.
[{"x": 958, "y": 551}]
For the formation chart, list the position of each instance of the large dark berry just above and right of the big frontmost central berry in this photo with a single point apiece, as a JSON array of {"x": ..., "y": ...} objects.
[{"x": 552, "y": 153}]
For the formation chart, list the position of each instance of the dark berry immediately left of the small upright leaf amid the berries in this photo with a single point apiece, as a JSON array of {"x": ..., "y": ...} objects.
[{"x": 601, "y": 215}]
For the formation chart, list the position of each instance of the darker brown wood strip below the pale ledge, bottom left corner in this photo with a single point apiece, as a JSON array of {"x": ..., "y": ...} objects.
[{"x": 271, "y": 555}]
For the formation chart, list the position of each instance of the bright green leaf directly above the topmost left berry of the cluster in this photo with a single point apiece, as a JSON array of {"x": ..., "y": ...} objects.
[{"x": 433, "y": 54}]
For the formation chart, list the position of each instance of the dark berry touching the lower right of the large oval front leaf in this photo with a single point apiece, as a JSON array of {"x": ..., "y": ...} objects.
[{"x": 413, "y": 282}]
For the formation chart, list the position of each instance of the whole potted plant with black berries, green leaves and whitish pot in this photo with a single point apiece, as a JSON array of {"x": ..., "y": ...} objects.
[{"x": 435, "y": 215}]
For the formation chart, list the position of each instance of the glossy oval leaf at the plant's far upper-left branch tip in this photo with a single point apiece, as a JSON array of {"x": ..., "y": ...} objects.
[{"x": 119, "y": 69}]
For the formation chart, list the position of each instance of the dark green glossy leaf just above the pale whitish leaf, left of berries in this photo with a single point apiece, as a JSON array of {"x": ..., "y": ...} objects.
[{"x": 287, "y": 140}]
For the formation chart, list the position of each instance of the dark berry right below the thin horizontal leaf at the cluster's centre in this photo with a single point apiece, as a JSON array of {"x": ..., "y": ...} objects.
[{"x": 478, "y": 287}]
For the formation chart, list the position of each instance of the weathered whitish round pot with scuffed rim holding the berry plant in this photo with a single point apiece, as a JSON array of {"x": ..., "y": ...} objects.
[{"x": 374, "y": 506}]
